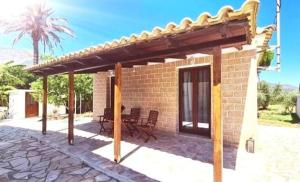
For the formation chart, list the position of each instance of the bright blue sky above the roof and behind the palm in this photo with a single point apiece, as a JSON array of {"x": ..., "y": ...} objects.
[{"x": 97, "y": 21}]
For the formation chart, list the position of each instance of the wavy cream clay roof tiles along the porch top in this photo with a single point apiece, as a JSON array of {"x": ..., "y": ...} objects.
[{"x": 227, "y": 13}]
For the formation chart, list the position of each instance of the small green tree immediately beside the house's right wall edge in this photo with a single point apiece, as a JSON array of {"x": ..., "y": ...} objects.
[{"x": 264, "y": 95}]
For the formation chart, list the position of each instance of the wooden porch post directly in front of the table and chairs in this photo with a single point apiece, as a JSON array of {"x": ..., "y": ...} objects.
[{"x": 117, "y": 112}]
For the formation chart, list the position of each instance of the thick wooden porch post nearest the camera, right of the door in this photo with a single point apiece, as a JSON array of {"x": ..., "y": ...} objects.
[{"x": 217, "y": 116}]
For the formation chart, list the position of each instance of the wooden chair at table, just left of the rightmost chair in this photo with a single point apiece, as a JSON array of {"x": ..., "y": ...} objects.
[{"x": 131, "y": 121}]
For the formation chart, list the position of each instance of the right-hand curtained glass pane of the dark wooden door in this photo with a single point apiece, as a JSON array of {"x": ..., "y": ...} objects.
[{"x": 203, "y": 99}]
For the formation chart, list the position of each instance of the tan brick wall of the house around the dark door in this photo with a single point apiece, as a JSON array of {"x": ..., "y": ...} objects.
[{"x": 156, "y": 87}]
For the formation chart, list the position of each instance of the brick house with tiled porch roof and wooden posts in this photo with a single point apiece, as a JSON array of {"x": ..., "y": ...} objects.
[{"x": 199, "y": 75}]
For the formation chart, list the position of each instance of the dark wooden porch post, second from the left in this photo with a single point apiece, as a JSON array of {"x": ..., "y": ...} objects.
[{"x": 71, "y": 109}]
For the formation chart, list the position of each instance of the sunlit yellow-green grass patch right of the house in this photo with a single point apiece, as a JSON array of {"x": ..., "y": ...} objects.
[{"x": 275, "y": 115}]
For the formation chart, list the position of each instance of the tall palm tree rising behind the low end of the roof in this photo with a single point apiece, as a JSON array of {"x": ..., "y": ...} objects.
[{"x": 37, "y": 22}]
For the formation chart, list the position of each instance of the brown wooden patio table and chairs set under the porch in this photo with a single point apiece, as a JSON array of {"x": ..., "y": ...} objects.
[{"x": 132, "y": 122}]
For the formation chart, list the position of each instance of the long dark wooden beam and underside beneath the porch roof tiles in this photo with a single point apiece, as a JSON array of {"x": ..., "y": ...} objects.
[{"x": 181, "y": 44}]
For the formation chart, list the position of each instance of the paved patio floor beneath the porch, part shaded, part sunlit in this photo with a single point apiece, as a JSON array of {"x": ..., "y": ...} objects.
[{"x": 170, "y": 158}]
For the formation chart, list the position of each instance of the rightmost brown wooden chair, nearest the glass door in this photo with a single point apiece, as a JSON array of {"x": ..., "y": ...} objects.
[{"x": 148, "y": 125}]
